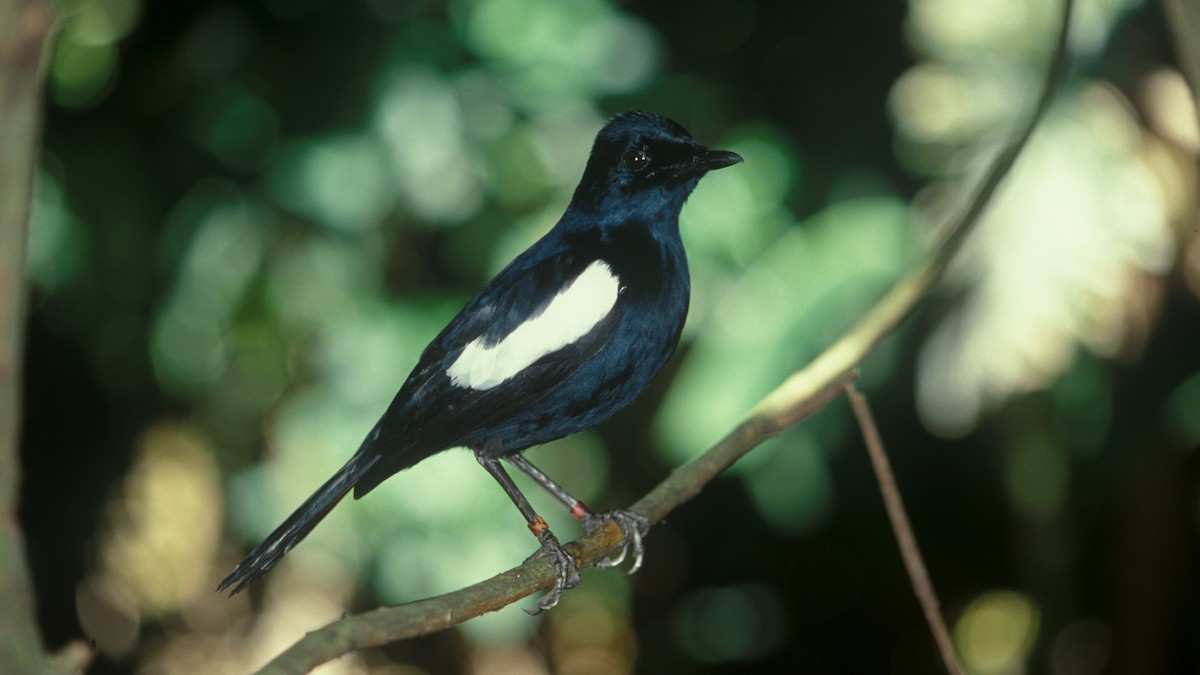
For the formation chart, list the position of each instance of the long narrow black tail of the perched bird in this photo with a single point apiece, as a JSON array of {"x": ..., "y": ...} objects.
[{"x": 299, "y": 524}]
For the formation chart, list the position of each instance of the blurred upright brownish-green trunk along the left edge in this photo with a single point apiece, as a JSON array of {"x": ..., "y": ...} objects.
[{"x": 25, "y": 26}]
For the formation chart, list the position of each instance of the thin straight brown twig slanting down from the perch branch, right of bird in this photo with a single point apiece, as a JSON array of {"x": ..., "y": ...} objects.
[{"x": 910, "y": 552}]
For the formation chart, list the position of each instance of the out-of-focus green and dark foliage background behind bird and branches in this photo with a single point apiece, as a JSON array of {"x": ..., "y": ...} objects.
[{"x": 251, "y": 217}]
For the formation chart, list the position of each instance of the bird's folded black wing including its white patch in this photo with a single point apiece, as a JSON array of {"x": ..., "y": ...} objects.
[{"x": 520, "y": 338}]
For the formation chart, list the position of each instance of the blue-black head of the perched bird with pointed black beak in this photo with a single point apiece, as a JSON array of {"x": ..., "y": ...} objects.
[{"x": 643, "y": 163}]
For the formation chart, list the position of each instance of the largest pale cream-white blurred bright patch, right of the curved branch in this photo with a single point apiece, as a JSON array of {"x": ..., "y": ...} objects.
[{"x": 1054, "y": 266}]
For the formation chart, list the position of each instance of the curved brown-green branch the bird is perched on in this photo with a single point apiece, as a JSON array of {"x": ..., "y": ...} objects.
[{"x": 800, "y": 396}]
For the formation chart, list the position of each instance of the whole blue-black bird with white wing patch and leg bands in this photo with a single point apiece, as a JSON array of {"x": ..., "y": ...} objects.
[{"x": 563, "y": 338}]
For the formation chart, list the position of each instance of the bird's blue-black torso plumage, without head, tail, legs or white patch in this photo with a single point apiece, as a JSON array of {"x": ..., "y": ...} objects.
[{"x": 565, "y": 392}]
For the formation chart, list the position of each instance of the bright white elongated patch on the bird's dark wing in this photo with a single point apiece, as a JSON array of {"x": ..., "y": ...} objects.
[{"x": 569, "y": 316}]
